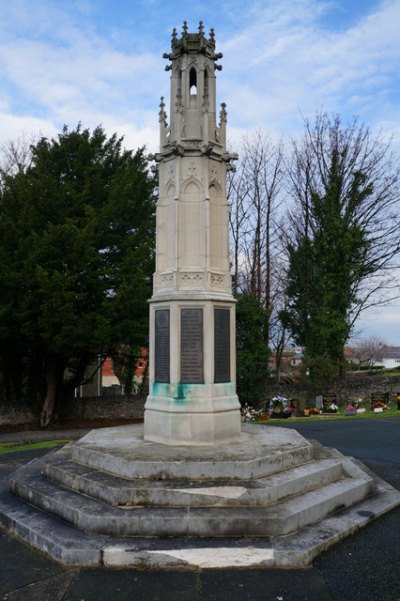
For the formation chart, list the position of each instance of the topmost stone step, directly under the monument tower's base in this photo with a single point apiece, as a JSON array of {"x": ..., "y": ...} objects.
[{"x": 123, "y": 452}]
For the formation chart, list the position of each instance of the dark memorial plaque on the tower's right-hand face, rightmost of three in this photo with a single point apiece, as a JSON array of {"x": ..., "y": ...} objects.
[{"x": 222, "y": 345}]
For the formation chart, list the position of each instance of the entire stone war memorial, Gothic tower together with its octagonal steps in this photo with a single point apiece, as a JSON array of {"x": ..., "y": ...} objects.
[{"x": 192, "y": 487}]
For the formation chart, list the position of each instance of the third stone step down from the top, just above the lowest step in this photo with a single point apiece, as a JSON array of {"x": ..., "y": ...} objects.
[{"x": 96, "y": 517}]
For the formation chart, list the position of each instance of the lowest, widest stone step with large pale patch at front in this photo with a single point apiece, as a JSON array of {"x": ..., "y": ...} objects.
[{"x": 75, "y": 548}]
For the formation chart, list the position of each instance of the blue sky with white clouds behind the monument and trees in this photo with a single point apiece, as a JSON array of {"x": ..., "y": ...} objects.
[{"x": 100, "y": 62}]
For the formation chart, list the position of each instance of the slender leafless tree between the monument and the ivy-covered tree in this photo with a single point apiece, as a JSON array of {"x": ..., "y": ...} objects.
[{"x": 255, "y": 194}]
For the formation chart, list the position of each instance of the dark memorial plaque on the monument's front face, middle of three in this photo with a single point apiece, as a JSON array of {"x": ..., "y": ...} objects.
[{"x": 192, "y": 346}]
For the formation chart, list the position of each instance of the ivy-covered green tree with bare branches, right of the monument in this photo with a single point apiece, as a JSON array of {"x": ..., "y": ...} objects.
[{"x": 341, "y": 236}]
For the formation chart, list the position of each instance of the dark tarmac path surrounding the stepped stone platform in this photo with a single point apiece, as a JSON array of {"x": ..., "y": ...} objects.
[{"x": 365, "y": 567}]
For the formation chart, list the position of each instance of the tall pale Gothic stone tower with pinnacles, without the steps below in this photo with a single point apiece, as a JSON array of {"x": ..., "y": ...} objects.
[{"x": 192, "y": 397}]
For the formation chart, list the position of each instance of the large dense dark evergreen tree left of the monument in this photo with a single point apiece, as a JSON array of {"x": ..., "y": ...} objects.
[{"x": 76, "y": 243}]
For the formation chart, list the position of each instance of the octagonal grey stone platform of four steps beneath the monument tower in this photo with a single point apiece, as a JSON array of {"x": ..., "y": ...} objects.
[{"x": 118, "y": 500}]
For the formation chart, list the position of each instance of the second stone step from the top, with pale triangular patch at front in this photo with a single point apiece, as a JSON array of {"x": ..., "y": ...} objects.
[{"x": 118, "y": 491}]
